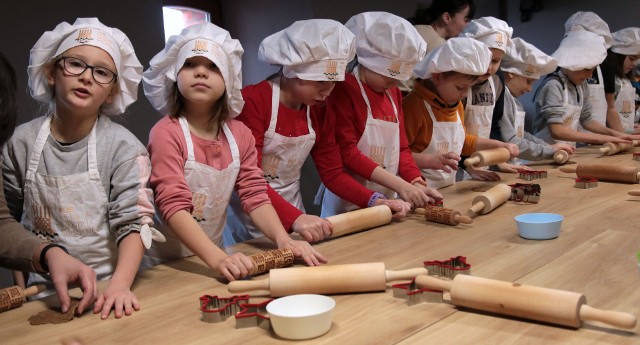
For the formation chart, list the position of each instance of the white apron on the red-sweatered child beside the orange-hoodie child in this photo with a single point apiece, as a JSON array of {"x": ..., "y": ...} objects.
[{"x": 380, "y": 142}]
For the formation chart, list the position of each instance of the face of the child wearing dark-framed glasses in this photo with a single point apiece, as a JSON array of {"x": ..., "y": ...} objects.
[{"x": 81, "y": 92}]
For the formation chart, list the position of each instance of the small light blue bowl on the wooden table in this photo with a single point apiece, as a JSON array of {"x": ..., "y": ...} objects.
[{"x": 539, "y": 226}]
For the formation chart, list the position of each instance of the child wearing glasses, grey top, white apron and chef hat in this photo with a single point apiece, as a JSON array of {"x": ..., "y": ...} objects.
[{"x": 74, "y": 177}]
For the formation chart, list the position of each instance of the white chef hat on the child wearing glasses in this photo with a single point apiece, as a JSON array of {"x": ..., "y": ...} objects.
[{"x": 87, "y": 31}]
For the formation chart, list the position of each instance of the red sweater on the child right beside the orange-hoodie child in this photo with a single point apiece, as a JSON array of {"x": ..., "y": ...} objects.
[{"x": 347, "y": 107}]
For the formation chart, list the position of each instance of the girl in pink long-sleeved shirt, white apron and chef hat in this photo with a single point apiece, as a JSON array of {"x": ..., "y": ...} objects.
[{"x": 199, "y": 153}]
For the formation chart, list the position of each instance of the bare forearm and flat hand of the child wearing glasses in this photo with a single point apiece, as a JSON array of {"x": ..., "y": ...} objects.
[{"x": 118, "y": 294}]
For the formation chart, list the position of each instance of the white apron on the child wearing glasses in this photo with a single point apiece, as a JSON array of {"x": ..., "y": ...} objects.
[{"x": 70, "y": 210}]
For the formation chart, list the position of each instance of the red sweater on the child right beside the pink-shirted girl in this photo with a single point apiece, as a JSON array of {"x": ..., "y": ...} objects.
[{"x": 256, "y": 114}]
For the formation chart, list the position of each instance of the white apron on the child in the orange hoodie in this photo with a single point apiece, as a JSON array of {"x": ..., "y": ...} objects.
[{"x": 446, "y": 137}]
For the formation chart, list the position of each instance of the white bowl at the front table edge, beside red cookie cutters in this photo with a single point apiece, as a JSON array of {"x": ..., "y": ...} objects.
[{"x": 301, "y": 316}]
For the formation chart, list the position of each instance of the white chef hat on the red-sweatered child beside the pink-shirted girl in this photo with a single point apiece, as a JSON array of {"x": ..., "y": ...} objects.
[{"x": 314, "y": 49}]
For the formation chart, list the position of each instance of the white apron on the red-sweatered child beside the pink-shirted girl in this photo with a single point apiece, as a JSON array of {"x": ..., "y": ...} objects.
[{"x": 282, "y": 160}]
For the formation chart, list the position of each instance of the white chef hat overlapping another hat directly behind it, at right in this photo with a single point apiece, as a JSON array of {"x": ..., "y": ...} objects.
[{"x": 580, "y": 50}]
